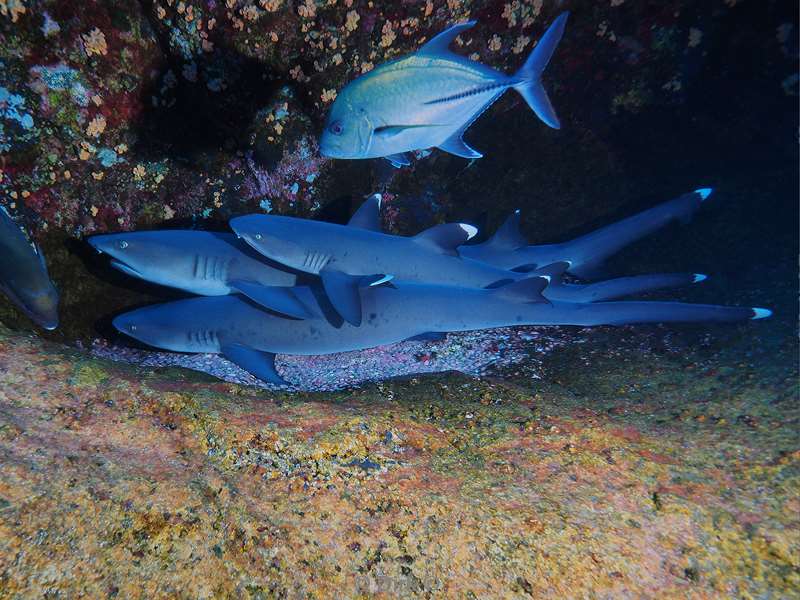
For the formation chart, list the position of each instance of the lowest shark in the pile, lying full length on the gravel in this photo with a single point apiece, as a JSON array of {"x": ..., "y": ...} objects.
[{"x": 250, "y": 337}]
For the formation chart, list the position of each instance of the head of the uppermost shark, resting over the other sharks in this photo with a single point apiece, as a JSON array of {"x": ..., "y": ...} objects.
[{"x": 281, "y": 239}]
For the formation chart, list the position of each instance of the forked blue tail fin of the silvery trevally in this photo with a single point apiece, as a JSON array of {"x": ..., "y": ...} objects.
[{"x": 530, "y": 85}]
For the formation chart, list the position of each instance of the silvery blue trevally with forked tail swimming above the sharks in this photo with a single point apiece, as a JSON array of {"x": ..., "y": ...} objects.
[{"x": 429, "y": 99}]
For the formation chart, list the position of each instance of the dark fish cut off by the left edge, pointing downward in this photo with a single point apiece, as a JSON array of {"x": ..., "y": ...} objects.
[{"x": 23, "y": 274}]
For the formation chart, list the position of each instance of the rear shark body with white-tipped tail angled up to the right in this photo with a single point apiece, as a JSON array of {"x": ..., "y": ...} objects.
[{"x": 508, "y": 248}]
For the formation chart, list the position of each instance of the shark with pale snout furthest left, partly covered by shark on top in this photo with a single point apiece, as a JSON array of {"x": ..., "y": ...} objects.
[{"x": 201, "y": 262}]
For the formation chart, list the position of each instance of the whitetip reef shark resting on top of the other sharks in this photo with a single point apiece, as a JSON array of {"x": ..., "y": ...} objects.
[{"x": 344, "y": 255}]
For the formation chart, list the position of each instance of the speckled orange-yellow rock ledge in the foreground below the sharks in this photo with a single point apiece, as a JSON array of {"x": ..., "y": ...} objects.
[{"x": 623, "y": 474}]
